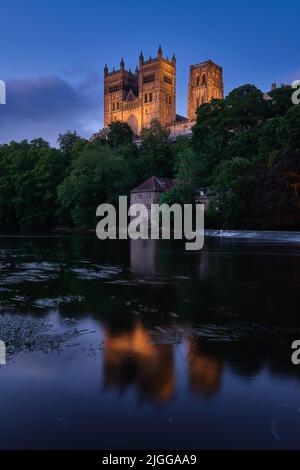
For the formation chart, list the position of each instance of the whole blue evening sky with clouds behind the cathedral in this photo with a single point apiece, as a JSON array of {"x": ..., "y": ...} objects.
[{"x": 53, "y": 52}]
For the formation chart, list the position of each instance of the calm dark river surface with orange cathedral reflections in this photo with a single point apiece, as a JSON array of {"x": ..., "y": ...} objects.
[{"x": 144, "y": 345}]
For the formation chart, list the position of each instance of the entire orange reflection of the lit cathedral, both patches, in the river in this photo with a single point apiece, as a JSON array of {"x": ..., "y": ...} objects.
[{"x": 131, "y": 358}]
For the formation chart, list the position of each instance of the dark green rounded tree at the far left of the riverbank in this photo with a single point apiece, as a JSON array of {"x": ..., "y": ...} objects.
[{"x": 30, "y": 173}]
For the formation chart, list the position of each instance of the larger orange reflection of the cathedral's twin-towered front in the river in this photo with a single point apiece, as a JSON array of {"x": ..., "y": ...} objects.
[{"x": 130, "y": 357}]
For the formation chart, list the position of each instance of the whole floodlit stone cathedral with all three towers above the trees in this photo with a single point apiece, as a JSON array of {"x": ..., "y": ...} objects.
[{"x": 150, "y": 93}]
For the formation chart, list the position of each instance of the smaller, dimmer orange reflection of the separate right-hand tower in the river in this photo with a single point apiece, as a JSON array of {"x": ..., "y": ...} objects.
[{"x": 204, "y": 372}]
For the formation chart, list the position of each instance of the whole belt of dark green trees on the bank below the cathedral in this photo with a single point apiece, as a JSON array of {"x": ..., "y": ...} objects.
[{"x": 245, "y": 150}]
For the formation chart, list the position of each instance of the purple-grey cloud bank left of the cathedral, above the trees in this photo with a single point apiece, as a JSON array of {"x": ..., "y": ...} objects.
[{"x": 47, "y": 106}]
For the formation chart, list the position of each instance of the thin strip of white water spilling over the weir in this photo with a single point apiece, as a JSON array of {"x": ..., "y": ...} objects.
[{"x": 279, "y": 236}]
